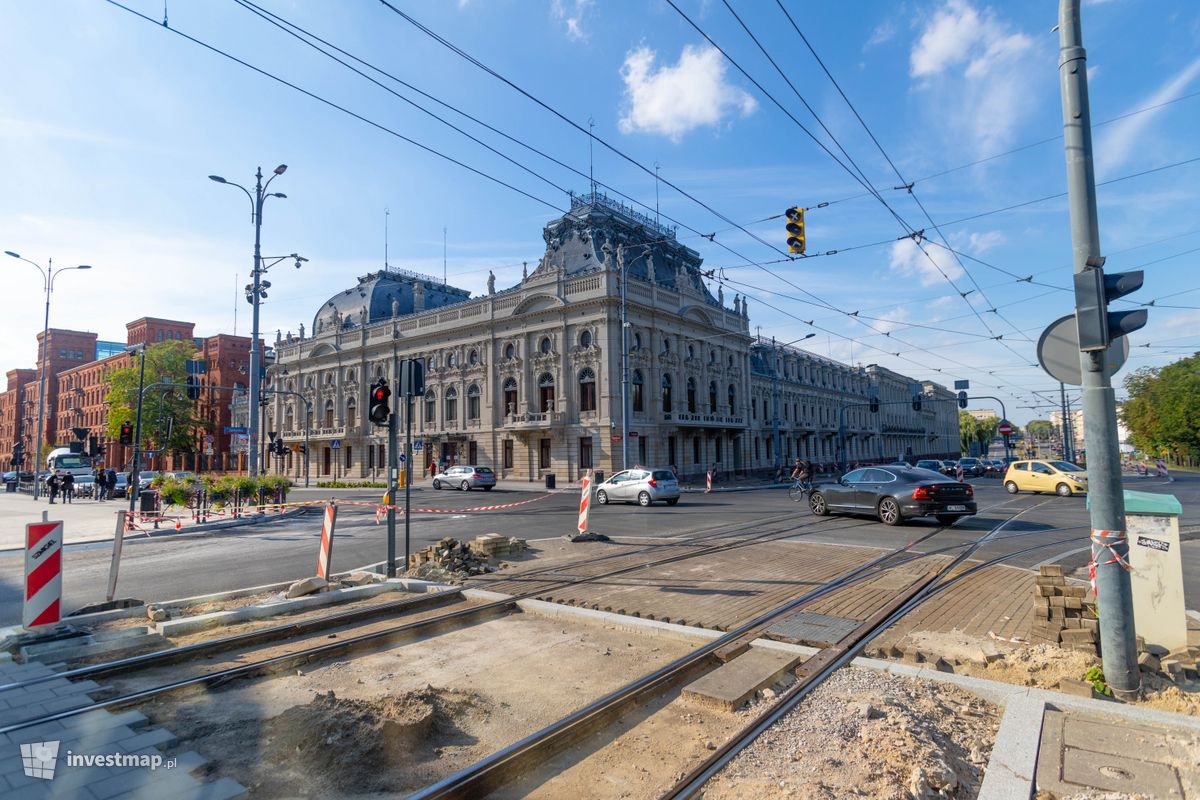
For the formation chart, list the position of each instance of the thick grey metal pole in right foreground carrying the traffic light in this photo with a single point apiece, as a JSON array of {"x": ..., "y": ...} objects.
[{"x": 1106, "y": 495}]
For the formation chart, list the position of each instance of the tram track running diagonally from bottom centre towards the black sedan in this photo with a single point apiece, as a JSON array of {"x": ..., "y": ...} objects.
[{"x": 525, "y": 756}]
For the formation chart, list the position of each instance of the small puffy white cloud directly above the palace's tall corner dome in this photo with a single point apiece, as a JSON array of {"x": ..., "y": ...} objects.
[{"x": 674, "y": 100}]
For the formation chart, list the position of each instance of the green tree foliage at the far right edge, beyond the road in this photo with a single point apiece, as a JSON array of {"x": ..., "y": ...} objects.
[{"x": 1163, "y": 410}]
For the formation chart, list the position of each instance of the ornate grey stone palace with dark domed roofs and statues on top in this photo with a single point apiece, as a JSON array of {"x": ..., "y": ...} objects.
[{"x": 529, "y": 380}]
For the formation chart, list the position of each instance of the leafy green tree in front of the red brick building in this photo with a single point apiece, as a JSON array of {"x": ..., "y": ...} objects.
[{"x": 169, "y": 417}]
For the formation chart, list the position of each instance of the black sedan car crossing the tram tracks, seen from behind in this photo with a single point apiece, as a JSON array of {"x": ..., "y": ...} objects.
[{"x": 895, "y": 495}]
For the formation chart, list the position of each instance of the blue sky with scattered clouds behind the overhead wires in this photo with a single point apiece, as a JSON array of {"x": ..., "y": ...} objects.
[{"x": 110, "y": 125}]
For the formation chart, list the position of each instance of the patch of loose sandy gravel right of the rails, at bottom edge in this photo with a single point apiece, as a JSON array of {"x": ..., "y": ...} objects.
[{"x": 869, "y": 735}]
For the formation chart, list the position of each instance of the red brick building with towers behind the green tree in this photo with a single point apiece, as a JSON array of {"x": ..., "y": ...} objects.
[{"x": 76, "y": 389}]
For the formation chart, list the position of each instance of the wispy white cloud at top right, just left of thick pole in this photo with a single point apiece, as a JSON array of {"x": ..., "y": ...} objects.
[{"x": 981, "y": 73}]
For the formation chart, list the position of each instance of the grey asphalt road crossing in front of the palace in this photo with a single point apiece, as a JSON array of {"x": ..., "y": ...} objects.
[{"x": 184, "y": 566}]
